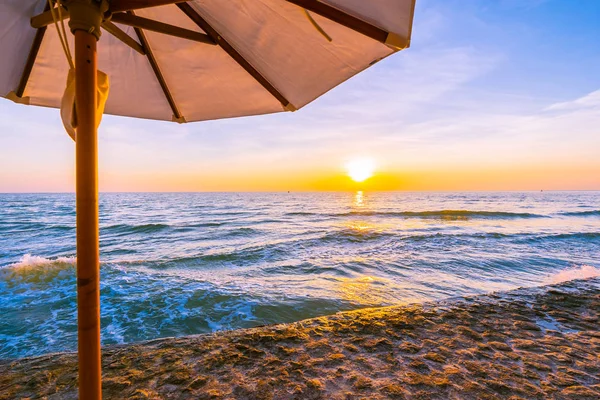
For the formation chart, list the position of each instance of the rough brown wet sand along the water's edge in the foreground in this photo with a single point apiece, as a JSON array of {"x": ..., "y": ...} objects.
[{"x": 529, "y": 343}]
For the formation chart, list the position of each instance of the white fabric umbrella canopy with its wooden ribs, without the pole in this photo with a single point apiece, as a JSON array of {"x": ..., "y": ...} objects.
[{"x": 258, "y": 56}]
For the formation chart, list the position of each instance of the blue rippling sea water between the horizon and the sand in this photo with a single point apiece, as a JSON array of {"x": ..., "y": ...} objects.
[{"x": 176, "y": 264}]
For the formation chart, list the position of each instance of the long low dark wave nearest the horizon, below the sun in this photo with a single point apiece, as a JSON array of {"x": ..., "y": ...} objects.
[{"x": 441, "y": 214}]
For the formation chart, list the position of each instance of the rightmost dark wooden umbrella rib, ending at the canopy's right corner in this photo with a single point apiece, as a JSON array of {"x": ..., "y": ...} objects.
[{"x": 352, "y": 22}]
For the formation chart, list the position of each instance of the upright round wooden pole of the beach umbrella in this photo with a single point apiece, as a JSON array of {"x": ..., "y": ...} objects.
[{"x": 88, "y": 254}]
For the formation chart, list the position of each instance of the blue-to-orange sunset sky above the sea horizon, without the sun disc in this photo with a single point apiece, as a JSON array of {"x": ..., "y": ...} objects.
[{"x": 492, "y": 95}]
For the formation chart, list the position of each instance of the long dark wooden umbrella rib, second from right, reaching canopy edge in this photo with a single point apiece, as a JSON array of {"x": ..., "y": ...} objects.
[{"x": 233, "y": 53}]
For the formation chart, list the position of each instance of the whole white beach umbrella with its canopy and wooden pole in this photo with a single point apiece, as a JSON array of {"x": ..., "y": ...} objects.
[{"x": 189, "y": 61}]
